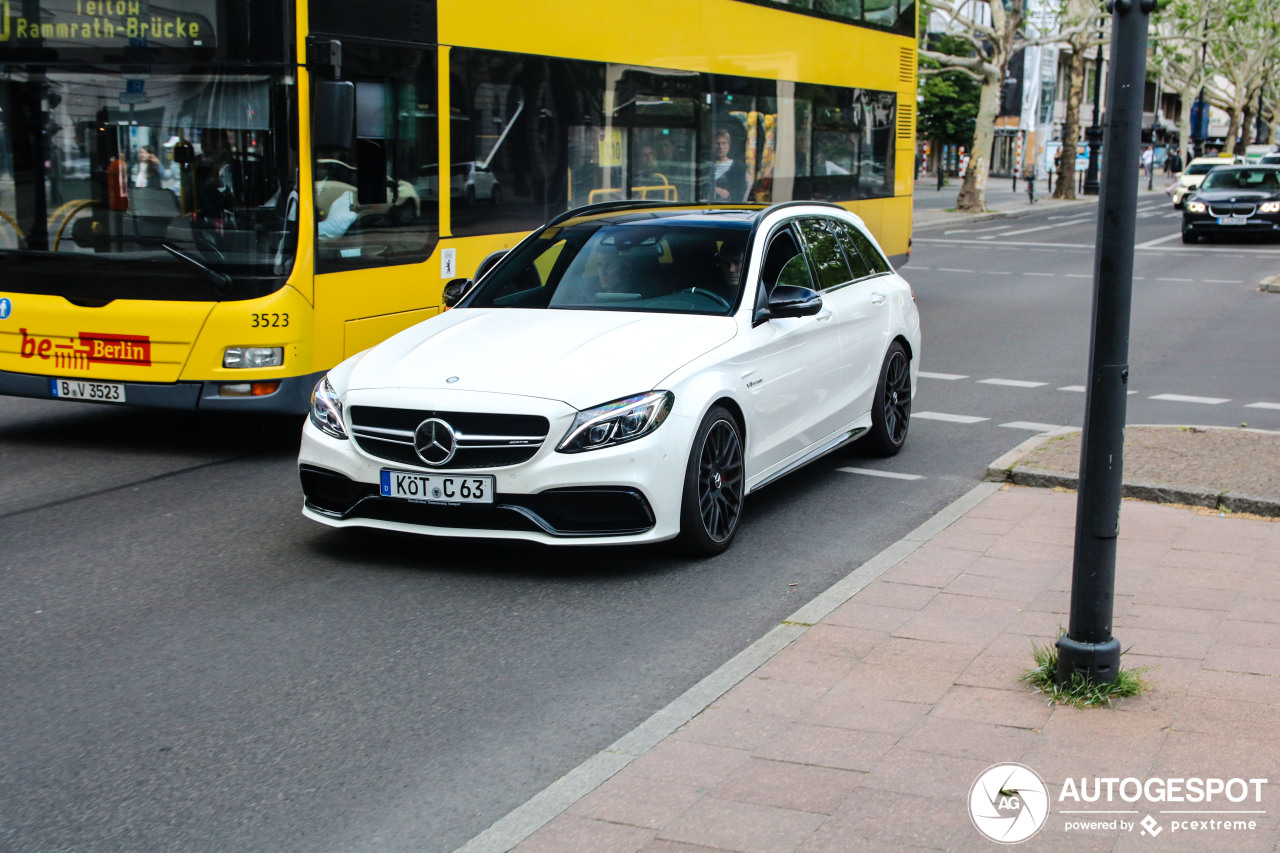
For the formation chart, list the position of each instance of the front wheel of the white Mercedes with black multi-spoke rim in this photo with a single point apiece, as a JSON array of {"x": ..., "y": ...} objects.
[{"x": 715, "y": 480}]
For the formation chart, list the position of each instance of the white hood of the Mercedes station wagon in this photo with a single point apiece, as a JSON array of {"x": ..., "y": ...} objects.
[{"x": 580, "y": 358}]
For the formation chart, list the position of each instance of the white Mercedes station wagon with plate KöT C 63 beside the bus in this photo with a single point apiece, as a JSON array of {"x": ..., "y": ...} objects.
[{"x": 628, "y": 373}]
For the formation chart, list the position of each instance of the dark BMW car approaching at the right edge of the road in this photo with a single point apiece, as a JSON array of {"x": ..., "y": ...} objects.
[{"x": 1235, "y": 200}]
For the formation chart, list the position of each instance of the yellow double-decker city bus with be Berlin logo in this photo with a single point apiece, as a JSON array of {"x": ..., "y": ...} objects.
[{"x": 211, "y": 203}]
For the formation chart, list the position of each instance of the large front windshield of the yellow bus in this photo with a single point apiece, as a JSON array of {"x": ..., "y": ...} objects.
[{"x": 166, "y": 181}]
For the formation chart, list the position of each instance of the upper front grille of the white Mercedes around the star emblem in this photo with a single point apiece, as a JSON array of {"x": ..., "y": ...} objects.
[{"x": 484, "y": 440}]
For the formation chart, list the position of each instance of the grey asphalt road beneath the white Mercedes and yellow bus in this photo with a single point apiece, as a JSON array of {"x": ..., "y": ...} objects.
[{"x": 190, "y": 665}]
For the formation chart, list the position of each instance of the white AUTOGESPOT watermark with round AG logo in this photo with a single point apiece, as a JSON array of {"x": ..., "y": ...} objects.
[{"x": 1011, "y": 804}]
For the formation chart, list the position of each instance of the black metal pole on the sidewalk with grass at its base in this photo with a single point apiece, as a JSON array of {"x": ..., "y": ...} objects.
[{"x": 1089, "y": 646}]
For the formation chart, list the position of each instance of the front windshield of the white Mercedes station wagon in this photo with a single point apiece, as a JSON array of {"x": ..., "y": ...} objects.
[{"x": 673, "y": 267}]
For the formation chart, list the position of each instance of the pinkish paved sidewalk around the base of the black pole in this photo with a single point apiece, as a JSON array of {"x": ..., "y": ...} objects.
[{"x": 870, "y": 727}]
